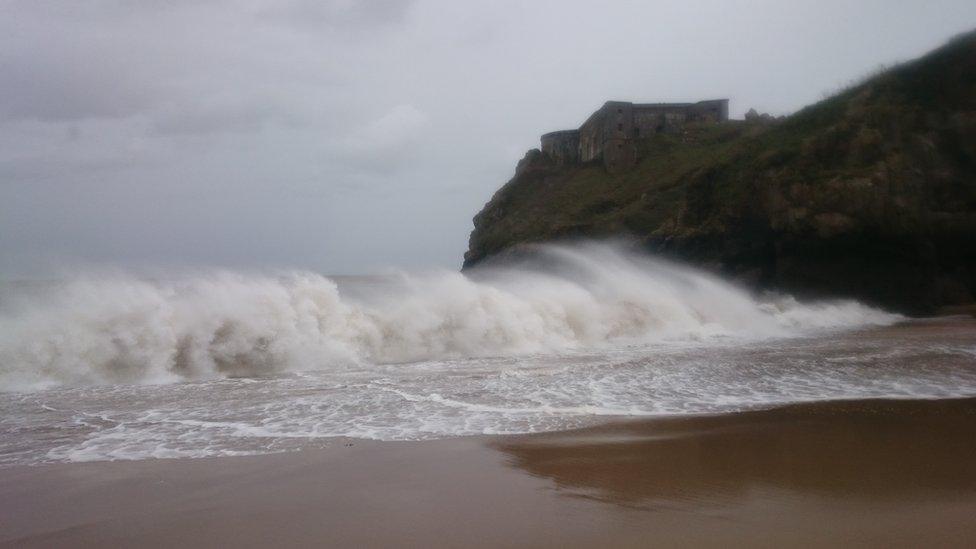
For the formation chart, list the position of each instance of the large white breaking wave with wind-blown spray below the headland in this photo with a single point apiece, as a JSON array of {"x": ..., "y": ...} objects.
[{"x": 121, "y": 328}]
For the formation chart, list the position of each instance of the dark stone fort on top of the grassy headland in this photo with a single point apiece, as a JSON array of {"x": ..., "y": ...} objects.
[{"x": 612, "y": 133}]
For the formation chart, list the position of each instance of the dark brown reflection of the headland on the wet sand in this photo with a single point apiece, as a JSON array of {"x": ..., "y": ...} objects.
[{"x": 872, "y": 451}]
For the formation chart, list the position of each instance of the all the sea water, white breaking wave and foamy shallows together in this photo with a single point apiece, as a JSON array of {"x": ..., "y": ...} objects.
[{"x": 111, "y": 365}]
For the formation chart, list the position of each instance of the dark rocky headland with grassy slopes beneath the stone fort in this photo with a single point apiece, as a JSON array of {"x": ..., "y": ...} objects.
[{"x": 869, "y": 194}]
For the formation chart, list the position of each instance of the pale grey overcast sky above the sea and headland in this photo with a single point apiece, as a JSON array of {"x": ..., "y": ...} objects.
[{"x": 349, "y": 136}]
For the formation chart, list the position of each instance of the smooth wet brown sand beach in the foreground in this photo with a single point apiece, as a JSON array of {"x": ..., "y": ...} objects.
[{"x": 867, "y": 473}]
